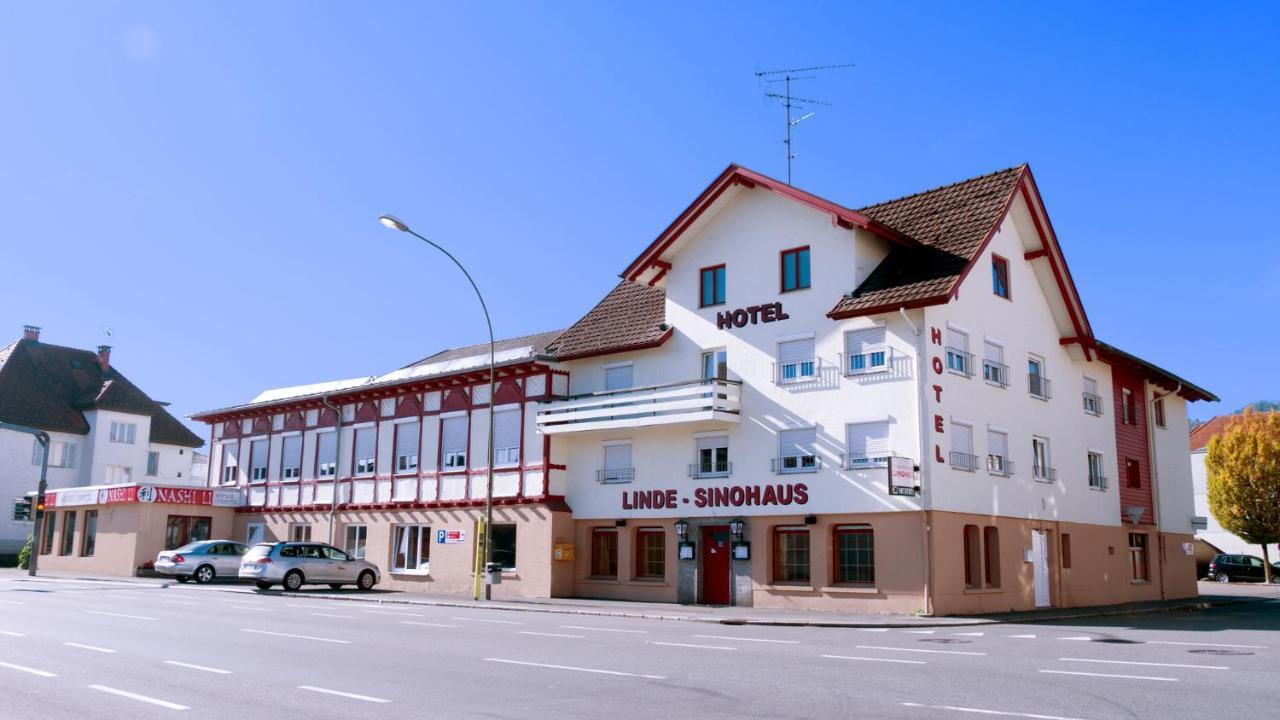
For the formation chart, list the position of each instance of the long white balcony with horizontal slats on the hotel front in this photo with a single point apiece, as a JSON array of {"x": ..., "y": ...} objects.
[{"x": 641, "y": 407}]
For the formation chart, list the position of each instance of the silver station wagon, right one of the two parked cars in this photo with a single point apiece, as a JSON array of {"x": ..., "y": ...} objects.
[{"x": 295, "y": 564}]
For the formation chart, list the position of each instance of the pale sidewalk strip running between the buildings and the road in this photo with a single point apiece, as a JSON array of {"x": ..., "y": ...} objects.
[{"x": 1214, "y": 596}]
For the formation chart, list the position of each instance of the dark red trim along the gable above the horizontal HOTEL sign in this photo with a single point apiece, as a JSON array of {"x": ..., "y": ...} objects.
[{"x": 737, "y": 175}]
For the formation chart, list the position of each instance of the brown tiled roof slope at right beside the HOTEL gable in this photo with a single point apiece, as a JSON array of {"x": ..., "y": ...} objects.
[{"x": 952, "y": 222}]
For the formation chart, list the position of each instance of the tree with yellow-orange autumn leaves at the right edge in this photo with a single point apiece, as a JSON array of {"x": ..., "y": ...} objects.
[{"x": 1244, "y": 466}]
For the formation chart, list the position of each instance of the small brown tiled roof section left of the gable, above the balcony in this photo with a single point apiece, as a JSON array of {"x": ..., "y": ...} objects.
[{"x": 632, "y": 317}]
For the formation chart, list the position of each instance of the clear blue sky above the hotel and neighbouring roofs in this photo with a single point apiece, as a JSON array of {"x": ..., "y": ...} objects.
[{"x": 205, "y": 179}]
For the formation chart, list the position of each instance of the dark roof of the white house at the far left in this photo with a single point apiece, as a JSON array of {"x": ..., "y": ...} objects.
[{"x": 49, "y": 388}]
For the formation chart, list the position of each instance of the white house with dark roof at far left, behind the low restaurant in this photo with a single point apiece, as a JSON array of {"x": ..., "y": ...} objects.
[{"x": 103, "y": 429}]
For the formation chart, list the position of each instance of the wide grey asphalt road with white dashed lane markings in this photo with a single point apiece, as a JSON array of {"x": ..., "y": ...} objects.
[{"x": 74, "y": 649}]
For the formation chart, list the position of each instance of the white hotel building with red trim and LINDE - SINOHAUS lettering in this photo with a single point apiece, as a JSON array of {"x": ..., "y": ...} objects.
[{"x": 719, "y": 429}]
